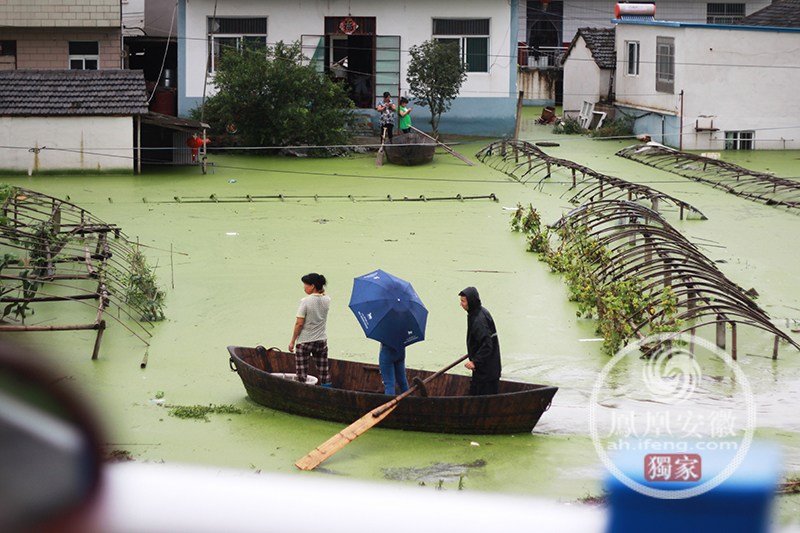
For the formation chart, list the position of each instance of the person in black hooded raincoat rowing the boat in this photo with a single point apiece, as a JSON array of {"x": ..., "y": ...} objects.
[{"x": 483, "y": 346}]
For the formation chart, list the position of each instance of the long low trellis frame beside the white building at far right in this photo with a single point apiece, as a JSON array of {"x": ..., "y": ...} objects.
[{"x": 756, "y": 186}]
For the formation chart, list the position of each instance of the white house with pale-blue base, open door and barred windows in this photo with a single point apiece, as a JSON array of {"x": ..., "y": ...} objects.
[{"x": 374, "y": 37}]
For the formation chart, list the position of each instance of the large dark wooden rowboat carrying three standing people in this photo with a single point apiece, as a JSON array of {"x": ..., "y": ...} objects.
[{"x": 441, "y": 406}]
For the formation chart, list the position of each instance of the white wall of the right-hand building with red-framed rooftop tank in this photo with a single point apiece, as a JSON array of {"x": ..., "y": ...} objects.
[{"x": 743, "y": 78}]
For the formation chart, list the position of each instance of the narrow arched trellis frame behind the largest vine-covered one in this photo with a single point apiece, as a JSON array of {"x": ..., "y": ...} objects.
[{"x": 524, "y": 161}]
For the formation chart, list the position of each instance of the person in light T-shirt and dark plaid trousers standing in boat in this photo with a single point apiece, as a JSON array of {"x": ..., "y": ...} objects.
[{"x": 309, "y": 330}]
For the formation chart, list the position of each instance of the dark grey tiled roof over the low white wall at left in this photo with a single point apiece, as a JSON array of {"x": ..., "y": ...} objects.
[{"x": 72, "y": 92}]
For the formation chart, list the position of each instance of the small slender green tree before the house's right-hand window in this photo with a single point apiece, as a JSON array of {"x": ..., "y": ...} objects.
[{"x": 435, "y": 75}]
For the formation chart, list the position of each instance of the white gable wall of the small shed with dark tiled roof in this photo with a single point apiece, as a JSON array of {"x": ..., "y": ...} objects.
[{"x": 583, "y": 79}]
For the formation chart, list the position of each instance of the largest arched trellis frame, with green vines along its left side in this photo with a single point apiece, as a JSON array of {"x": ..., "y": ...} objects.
[{"x": 641, "y": 243}]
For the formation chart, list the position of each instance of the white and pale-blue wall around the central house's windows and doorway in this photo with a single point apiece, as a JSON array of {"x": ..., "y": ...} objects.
[{"x": 487, "y": 101}]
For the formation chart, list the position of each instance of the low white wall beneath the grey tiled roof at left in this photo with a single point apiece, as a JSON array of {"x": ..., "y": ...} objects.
[{"x": 89, "y": 144}]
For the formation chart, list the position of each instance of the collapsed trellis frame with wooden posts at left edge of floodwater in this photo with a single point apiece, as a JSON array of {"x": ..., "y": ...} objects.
[{"x": 54, "y": 251}]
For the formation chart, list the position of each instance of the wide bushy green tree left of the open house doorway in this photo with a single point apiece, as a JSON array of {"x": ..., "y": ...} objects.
[{"x": 272, "y": 99}]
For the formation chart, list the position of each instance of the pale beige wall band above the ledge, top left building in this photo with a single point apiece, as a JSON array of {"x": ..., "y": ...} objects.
[{"x": 60, "y": 13}]
